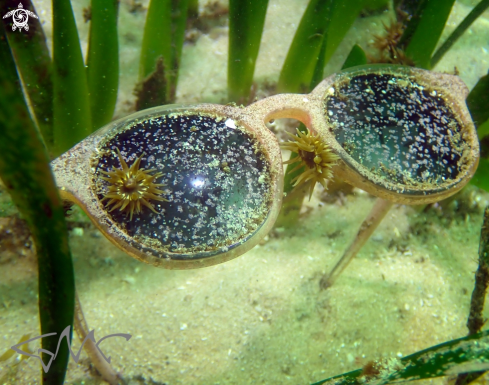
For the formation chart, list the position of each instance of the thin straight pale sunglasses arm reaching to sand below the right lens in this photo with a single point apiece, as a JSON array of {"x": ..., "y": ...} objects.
[{"x": 378, "y": 212}]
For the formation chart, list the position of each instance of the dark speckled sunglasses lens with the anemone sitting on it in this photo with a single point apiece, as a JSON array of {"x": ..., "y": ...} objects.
[{"x": 186, "y": 185}]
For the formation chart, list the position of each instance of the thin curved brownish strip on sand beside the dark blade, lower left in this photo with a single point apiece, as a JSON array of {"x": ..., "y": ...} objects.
[{"x": 81, "y": 327}]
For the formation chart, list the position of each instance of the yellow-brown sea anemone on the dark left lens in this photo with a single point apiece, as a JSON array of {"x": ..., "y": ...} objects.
[{"x": 130, "y": 187}]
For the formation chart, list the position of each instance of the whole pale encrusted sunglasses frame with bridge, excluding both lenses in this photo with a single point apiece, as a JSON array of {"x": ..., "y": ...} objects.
[{"x": 74, "y": 170}]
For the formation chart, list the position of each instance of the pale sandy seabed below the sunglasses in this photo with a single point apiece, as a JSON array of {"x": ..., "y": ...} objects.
[{"x": 261, "y": 318}]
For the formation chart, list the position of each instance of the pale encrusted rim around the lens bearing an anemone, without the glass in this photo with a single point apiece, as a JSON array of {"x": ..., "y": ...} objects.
[{"x": 81, "y": 161}]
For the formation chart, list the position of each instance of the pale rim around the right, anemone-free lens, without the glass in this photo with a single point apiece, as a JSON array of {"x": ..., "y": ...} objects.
[{"x": 454, "y": 92}]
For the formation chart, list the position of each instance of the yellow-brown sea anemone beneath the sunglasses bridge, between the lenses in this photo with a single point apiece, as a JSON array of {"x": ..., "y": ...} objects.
[{"x": 314, "y": 155}]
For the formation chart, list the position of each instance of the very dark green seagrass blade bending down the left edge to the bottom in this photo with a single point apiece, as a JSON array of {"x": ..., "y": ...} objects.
[{"x": 25, "y": 171}]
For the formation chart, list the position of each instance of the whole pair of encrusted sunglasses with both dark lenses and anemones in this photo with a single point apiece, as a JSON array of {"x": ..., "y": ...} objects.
[{"x": 192, "y": 186}]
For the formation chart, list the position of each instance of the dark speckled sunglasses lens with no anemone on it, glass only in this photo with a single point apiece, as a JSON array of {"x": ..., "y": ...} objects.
[{"x": 403, "y": 132}]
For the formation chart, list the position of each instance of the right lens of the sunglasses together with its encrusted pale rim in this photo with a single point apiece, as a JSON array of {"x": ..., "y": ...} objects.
[{"x": 405, "y": 132}]
